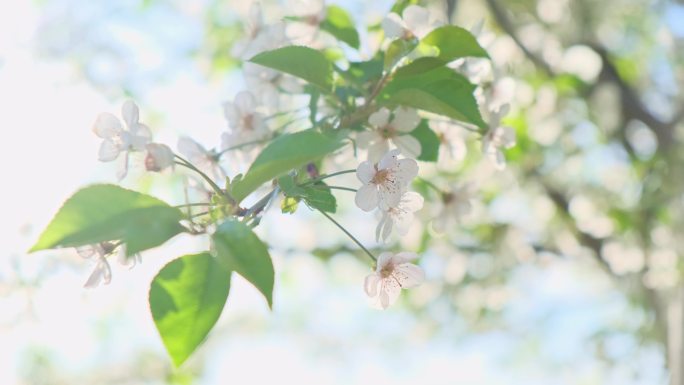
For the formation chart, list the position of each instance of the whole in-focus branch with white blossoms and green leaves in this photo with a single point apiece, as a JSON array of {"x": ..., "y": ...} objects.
[{"x": 406, "y": 105}]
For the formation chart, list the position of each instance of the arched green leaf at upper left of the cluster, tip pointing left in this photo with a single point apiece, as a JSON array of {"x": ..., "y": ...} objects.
[{"x": 303, "y": 62}]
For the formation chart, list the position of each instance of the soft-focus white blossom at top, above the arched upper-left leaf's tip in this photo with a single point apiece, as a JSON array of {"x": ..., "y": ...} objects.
[{"x": 258, "y": 36}]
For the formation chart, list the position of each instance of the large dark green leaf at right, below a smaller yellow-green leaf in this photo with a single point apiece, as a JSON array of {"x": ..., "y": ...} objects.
[{"x": 440, "y": 90}]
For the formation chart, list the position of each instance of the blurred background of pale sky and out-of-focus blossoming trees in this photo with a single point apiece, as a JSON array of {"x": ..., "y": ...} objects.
[{"x": 567, "y": 272}]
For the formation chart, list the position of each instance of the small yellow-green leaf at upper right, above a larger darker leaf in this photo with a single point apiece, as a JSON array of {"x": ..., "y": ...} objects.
[{"x": 453, "y": 43}]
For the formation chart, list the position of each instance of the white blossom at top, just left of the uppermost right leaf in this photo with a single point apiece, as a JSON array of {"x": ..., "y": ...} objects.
[{"x": 415, "y": 21}]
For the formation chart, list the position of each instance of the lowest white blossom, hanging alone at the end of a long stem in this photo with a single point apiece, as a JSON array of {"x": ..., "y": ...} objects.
[{"x": 393, "y": 272}]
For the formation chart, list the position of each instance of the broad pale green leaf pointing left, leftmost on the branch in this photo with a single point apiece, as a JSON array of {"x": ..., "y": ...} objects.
[{"x": 101, "y": 213}]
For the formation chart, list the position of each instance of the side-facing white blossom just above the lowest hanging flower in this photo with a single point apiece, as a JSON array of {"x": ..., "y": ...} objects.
[{"x": 399, "y": 217}]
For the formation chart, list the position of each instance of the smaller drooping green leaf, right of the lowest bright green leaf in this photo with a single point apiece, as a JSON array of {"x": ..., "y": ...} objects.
[{"x": 240, "y": 250}]
